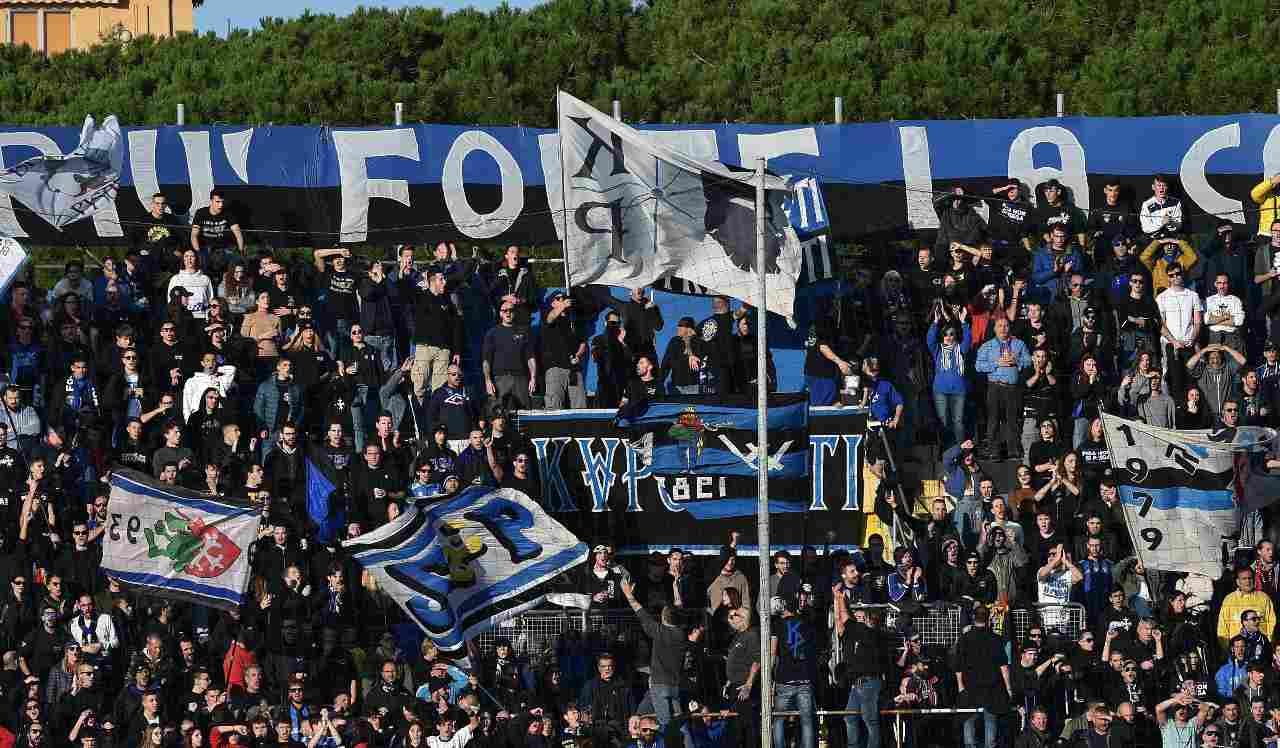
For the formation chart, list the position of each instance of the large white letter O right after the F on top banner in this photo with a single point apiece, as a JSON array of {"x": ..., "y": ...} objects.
[{"x": 482, "y": 226}]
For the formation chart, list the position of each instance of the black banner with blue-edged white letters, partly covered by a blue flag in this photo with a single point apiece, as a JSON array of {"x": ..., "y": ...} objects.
[{"x": 596, "y": 481}]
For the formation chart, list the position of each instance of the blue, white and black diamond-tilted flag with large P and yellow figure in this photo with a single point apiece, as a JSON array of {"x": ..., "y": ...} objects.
[{"x": 459, "y": 567}]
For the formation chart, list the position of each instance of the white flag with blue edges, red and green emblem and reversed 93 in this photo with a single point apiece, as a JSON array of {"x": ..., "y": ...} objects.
[{"x": 179, "y": 544}]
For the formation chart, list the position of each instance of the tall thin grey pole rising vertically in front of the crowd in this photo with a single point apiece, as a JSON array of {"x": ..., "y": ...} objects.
[{"x": 762, "y": 439}]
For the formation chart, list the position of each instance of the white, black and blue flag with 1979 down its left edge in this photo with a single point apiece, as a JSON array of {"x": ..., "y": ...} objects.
[{"x": 1180, "y": 490}]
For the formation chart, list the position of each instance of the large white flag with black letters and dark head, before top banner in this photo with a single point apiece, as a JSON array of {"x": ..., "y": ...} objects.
[{"x": 637, "y": 209}]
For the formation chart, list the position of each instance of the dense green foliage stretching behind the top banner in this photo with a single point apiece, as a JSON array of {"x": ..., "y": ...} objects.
[{"x": 676, "y": 61}]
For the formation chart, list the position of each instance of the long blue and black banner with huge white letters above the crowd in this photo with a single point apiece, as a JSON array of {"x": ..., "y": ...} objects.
[{"x": 300, "y": 185}]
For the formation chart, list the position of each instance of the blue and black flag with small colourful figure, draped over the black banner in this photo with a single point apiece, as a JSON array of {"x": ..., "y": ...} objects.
[{"x": 706, "y": 453}]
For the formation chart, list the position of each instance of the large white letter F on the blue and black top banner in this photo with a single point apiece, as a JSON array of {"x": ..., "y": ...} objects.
[{"x": 354, "y": 149}]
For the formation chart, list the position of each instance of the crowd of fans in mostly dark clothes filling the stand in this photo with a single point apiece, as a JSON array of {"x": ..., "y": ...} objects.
[{"x": 221, "y": 371}]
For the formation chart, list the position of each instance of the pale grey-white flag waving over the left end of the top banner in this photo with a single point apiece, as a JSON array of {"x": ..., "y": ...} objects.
[{"x": 68, "y": 189}]
